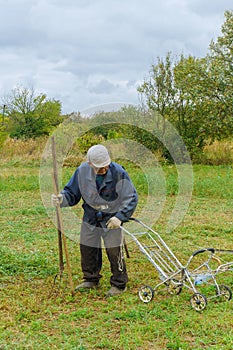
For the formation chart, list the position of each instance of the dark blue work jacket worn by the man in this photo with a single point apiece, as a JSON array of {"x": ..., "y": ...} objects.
[{"x": 116, "y": 196}]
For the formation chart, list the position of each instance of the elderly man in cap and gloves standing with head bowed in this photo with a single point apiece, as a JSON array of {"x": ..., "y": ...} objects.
[{"x": 109, "y": 199}]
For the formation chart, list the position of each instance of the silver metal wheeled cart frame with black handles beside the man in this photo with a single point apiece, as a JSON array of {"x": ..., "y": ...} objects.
[{"x": 174, "y": 275}]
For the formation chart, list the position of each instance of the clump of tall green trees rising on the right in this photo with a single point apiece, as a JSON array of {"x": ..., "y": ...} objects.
[{"x": 195, "y": 94}]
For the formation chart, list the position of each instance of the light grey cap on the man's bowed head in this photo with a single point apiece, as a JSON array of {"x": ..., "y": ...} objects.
[{"x": 98, "y": 155}]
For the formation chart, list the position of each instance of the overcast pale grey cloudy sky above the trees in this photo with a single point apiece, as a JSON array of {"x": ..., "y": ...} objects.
[{"x": 91, "y": 52}]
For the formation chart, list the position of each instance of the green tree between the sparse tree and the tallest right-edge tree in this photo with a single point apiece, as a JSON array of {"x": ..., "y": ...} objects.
[{"x": 190, "y": 112}]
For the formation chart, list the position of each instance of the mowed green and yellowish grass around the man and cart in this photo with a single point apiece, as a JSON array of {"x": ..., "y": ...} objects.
[{"x": 38, "y": 312}]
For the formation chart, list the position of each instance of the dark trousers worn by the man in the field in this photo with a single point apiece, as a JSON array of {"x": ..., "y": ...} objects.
[{"x": 91, "y": 254}]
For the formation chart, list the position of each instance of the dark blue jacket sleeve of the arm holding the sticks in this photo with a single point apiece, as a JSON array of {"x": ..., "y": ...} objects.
[{"x": 71, "y": 191}]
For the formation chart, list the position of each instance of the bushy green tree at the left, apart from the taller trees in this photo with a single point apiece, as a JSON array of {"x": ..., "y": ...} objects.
[{"x": 31, "y": 115}]
